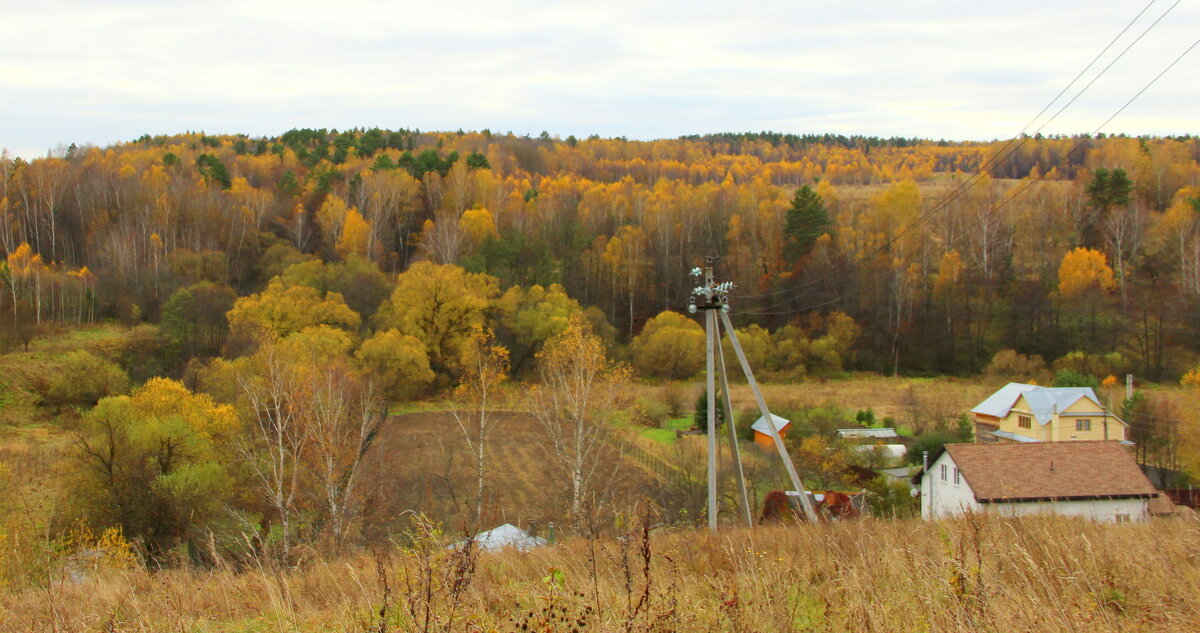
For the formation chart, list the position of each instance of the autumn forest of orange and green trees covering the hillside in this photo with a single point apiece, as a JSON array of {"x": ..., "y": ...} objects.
[{"x": 940, "y": 254}]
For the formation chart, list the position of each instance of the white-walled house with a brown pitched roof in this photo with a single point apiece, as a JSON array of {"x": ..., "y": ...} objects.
[{"x": 1097, "y": 480}]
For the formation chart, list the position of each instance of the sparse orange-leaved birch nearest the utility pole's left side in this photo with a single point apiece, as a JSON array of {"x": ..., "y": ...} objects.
[{"x": 579, "y": 389}]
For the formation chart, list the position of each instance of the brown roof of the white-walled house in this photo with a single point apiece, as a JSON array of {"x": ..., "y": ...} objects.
[{"x": 1049, "y": 471}]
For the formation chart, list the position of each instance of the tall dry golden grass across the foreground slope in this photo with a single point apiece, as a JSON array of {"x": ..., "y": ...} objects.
[{"x": 975, "y": 575}]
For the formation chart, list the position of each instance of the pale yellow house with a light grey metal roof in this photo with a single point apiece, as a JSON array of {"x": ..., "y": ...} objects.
[{"x": 1021, "y": 413}]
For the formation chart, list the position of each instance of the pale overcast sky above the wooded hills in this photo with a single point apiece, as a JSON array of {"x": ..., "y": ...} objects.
[{"x": 101, "y": 73}]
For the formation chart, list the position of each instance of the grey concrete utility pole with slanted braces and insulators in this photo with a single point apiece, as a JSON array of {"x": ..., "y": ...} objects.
[{"x": 713, "y": 299}]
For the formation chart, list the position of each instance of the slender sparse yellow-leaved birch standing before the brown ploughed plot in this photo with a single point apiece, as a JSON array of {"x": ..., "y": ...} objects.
[{"x": 485, "y": 366}]
